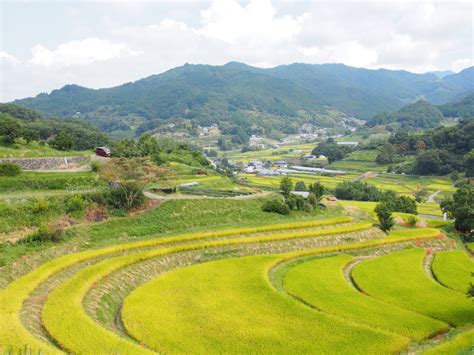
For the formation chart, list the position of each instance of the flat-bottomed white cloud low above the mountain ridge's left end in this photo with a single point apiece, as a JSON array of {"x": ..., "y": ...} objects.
[{"x": 79, "y": 52}]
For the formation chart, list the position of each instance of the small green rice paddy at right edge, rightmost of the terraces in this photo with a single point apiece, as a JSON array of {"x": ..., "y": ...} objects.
[{"x": 454, "y": 269}]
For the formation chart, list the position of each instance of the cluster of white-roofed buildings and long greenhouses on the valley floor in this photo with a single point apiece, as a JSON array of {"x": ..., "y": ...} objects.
[{"x": 281, "y": 167}]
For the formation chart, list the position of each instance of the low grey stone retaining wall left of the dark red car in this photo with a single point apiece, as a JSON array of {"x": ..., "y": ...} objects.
[{"x": 56, "y": 163}]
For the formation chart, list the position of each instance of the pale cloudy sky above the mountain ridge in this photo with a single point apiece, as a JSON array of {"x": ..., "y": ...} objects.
[{"x": 45, "y": 45}]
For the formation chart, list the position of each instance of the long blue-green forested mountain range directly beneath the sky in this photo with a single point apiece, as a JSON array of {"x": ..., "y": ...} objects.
[{"x": 239, "y": 95}]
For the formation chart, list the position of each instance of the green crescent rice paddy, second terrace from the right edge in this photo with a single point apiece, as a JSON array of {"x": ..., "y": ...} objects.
[{"x": 399, "y": 279}]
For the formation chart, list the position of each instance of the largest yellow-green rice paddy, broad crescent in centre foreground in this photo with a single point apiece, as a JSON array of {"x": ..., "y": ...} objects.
[{"x": 240, "y": 313}]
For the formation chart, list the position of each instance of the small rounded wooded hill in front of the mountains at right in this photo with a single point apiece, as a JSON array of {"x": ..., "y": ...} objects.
[{"x": 418, "y": 115}]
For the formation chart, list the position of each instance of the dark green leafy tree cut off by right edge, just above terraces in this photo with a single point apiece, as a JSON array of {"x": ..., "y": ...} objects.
[{"x": 461, "y": 208}]
